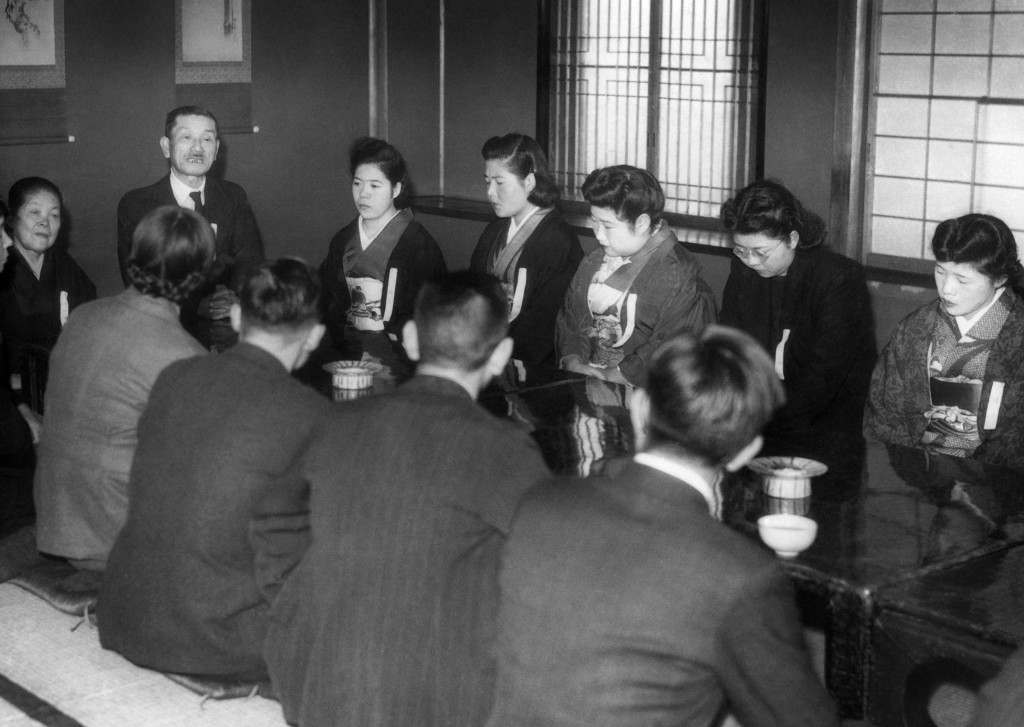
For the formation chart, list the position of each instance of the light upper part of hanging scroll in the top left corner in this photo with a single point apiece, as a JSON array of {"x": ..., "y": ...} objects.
[{"x": 32, "y": 53}]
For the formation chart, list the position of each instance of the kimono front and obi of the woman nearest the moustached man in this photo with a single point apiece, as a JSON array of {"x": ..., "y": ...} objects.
[{"x": 368, "y": 277}]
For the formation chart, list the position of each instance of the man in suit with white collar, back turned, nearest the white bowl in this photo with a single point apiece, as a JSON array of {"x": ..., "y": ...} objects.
[{"x": 624, "y": 602}]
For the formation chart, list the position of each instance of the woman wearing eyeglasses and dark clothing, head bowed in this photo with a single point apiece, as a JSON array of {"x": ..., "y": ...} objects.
[{"x": 809, "y": 308}]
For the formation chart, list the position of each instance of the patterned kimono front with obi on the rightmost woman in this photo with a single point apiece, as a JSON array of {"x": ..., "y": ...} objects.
[{"x": 957, "y": 372}]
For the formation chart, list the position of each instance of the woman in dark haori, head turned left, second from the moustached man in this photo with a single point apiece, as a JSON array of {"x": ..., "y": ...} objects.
[{"x": 530, "y": 248}]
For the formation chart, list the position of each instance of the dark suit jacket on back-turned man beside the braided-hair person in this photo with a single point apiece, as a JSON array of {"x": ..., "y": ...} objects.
[{"x": 180, "y": 592}]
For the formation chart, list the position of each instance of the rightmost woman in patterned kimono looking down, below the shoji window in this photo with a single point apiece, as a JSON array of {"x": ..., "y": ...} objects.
[{"x": 952, "y": 377}]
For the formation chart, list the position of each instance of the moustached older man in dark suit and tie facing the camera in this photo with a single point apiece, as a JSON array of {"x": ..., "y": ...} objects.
[{"x": 191, "y": 144}]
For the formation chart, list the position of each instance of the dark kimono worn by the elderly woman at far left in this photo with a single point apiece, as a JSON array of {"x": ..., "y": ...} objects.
[{"x": 31, "y": 309}]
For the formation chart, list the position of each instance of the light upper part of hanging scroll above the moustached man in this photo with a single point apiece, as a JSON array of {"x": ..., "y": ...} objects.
[{"x": 214, "y": 41}]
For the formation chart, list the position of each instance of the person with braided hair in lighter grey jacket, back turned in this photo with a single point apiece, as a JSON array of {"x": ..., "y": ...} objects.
[{"x": 102, "y": 371}]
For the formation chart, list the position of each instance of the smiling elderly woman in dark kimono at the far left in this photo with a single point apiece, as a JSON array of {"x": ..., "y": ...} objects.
[{"x": 41, "y": 284}]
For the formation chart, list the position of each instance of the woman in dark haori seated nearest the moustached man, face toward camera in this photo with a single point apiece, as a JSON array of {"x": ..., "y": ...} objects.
[{"x": 377, "y": 263}]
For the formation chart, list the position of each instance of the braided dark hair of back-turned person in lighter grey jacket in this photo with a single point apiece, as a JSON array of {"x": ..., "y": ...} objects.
[{"x": 173, "y": 249}]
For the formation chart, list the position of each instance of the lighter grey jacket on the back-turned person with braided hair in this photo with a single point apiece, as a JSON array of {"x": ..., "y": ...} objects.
[{"x": 101, "y": 375}]
